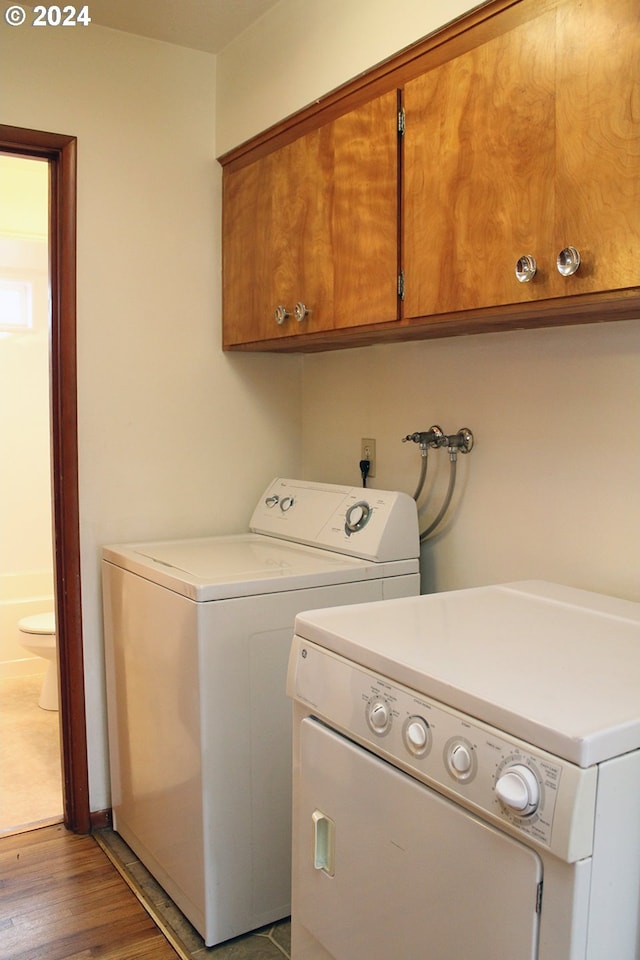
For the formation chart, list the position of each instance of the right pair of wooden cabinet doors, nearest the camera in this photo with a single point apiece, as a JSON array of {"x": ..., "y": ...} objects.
[{"x": 526, "y": 144}]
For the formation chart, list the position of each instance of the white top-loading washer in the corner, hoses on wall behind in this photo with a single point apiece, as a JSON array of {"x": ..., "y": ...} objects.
[{"x": 197, "y": 635}]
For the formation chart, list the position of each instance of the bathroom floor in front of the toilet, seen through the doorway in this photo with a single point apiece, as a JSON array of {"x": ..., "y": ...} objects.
[{"x": 30, "y": 768}]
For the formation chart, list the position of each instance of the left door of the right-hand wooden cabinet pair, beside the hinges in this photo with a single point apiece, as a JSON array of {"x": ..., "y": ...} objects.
[{"x": 479, "y": 167}]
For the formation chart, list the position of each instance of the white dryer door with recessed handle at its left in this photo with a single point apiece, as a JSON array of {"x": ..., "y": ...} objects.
[{"x": 386, "y": 867}]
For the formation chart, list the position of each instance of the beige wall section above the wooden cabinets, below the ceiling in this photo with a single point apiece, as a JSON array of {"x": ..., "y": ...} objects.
[{"x": 301, "y": 49}]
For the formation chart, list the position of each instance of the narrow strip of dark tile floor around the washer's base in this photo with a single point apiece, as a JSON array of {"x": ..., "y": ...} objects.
[{"x": 268, "y": 943}]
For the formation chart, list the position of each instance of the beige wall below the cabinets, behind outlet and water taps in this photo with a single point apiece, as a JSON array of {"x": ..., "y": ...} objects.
[{"x": 551, "y": 488}]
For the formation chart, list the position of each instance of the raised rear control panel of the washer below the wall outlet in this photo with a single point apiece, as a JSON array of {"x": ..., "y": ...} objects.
[{"x": 377, "y": 525}]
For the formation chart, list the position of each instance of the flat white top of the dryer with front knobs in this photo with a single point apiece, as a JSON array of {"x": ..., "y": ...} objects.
[{"x": 555, "y": 666}]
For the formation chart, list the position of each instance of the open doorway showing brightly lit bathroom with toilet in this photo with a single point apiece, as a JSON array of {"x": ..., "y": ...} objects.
[{"x": 30, "y": 775}]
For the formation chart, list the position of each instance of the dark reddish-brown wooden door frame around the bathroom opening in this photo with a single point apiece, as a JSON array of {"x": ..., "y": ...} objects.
[{"x": 60, "y": 152}]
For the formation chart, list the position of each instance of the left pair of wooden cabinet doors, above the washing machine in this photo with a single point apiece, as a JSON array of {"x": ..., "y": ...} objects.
[{"x": 316, "y": 222}]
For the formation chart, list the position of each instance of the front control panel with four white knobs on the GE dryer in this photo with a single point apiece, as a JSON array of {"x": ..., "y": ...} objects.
[{"x": 526, "y": 790}]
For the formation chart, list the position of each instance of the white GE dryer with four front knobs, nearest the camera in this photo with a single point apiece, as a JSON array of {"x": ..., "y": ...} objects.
[{"x": 467, "y": 777}]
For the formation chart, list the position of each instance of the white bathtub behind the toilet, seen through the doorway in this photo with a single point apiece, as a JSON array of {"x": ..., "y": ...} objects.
[{"x": 21, "y": 595}]
